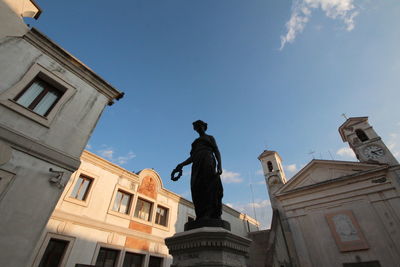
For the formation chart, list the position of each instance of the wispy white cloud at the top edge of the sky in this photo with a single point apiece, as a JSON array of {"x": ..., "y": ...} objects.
[{"x": 343, "y": 10}]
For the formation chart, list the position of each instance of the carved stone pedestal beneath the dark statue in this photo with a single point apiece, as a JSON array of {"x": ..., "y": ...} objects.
[{"x": 208, "y": 247}]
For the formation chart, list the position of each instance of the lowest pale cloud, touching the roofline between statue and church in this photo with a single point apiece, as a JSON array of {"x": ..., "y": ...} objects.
[{"x": 262, "y": 208}]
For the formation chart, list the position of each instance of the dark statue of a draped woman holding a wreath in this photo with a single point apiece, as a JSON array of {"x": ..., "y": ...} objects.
[{"x": 205, "y": 183}]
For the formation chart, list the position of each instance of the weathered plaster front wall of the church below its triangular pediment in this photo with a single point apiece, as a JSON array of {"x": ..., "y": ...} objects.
[{"x": 375, "y": 207}]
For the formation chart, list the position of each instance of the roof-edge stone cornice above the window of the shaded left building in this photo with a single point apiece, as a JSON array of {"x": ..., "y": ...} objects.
[{"x": 43, "y": 43}]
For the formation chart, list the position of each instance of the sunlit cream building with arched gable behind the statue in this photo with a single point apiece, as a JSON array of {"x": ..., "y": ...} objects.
[{"x": 108, "y": 216}]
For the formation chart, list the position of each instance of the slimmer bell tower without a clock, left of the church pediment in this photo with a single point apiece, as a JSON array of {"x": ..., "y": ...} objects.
[{"x": 273, "y": 172}]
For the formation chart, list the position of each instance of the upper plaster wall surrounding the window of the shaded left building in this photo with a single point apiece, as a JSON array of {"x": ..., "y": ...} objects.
[{"x": 73, "y": 124}]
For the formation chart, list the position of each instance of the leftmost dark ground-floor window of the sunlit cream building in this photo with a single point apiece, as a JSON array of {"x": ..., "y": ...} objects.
[{"x": 54, "y": 253}]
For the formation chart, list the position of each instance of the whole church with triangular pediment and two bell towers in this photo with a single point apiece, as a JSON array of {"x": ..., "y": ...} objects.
[{"x": 337, "y": 213}]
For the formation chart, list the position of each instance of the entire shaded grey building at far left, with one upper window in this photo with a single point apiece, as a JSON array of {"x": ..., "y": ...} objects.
[{"x": 50, "y": 103}]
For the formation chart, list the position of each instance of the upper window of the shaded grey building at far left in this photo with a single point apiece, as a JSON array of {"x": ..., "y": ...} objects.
[{"x": 39, "y": 96}]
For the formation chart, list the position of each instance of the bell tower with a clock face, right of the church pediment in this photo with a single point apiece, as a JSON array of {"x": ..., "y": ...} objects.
[{"x": 365, "y": 142}]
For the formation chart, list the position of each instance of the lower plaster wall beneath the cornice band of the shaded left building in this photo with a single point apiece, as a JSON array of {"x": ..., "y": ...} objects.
[{"x": 25, "y": 206}]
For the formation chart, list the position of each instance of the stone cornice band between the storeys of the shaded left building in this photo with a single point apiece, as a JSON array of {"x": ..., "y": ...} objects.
[{"x": 39, "y": 150}]
